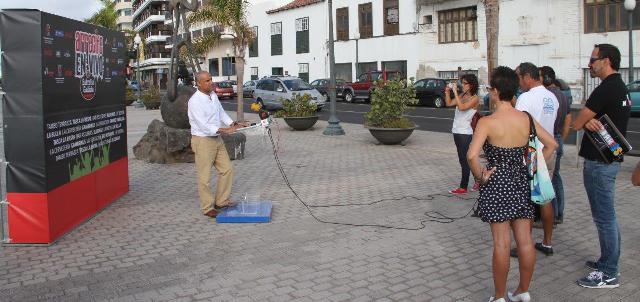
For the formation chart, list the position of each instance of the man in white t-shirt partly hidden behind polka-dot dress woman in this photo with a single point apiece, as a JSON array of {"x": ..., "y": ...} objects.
[{"x": 542, "y": 104}]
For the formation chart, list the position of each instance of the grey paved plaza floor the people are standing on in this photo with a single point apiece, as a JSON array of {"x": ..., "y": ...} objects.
[{"x": 154, "y": 244}]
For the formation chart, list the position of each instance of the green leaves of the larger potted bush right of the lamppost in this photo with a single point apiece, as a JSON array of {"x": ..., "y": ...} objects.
[{"x": 389, "y": 101}]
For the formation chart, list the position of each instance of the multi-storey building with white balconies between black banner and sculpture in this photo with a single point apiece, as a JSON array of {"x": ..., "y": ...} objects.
[{"x": 149, "y": 22}]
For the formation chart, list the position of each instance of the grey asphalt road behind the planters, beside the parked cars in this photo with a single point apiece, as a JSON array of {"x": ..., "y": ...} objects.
[{"x": 427, "y": 118}]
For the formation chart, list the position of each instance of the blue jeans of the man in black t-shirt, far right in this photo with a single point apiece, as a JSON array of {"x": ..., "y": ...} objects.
[{"x": 599, "y": 182}]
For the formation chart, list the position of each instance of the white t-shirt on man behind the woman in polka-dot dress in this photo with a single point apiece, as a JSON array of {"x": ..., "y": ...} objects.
[{"x": 542, "y": 104}]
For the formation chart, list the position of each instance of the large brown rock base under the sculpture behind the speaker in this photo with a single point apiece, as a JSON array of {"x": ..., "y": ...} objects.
[{"x": 165, "y": 145}]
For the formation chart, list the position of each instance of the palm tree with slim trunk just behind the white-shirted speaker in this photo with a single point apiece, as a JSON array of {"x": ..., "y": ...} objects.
[{"x": 229, "y": 15}]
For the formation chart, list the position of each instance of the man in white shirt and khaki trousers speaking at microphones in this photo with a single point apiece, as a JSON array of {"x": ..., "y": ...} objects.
[{"x": 208, "y": 121}]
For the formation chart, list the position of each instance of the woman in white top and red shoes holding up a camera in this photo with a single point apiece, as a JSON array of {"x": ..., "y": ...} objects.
[{"x": 466, "y": 105}]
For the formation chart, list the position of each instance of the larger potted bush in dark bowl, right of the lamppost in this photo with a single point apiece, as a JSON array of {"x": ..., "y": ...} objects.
[{"x": 386, "y": 120}]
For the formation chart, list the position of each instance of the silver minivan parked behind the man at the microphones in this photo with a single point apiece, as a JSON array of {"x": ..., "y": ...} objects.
[{"x": 271, "y": 91}]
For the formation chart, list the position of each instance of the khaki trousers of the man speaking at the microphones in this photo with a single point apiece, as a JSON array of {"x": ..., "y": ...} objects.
[{"x": 210, "y": 151}]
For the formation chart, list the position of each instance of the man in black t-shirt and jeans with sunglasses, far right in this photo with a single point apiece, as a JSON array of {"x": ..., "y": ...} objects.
[{"x": 611, "y": 98}]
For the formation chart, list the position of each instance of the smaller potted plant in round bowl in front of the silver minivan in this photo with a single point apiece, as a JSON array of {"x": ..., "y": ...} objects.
[{"x": 299, "y": 112}]
